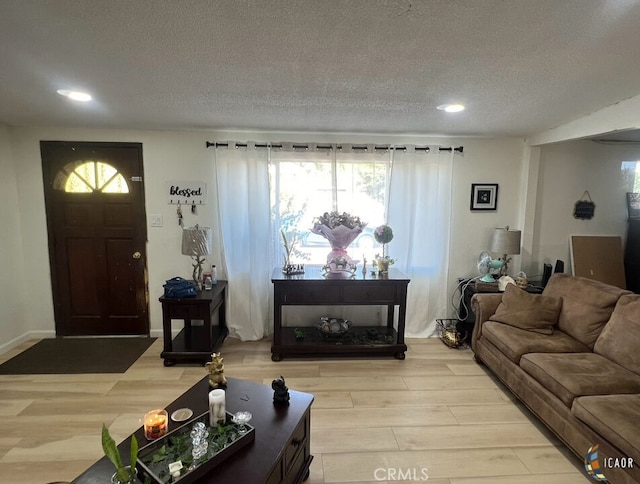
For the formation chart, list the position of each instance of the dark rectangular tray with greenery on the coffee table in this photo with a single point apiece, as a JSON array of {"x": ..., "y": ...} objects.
[{"x": 224, "y": 441}]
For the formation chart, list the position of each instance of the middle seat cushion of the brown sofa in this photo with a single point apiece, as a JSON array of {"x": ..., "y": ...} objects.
[{"x": 571, "y": 375}]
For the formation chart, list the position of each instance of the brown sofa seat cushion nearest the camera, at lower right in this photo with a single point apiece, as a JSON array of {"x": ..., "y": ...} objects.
[{"x": 615, "y": 417}]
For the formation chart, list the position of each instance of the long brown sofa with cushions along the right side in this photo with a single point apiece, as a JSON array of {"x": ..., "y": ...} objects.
[{"x": 572, "y": 356}]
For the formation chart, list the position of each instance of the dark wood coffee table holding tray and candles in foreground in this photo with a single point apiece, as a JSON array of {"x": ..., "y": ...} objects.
[{"x": 279, "y": 454}]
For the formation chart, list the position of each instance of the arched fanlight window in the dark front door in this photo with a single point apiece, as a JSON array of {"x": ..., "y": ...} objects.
[{"x": 90, "y": 177}]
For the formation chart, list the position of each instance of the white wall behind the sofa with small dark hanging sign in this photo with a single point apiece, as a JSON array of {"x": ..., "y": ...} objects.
[{"x": 566, "y": 171}]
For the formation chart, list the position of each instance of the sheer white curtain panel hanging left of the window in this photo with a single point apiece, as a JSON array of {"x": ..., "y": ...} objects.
[{"x": 242, "y": 179}]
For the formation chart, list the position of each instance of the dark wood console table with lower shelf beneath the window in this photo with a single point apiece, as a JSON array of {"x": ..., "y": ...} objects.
[{"x": 313, "y": 289}]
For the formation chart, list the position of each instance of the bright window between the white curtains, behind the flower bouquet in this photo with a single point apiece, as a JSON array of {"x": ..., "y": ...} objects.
[{"x": 304, "y": 186}]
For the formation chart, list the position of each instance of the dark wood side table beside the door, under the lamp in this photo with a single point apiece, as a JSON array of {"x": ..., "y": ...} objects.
[{"x": 194, "y": 342}]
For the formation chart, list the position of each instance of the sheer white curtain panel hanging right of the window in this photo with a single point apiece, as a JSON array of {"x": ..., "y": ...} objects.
[{"x": 419, "y": 210}]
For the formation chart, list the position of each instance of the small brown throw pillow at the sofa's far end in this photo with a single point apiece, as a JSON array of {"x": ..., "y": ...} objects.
[{"x": 532, "y": 312}]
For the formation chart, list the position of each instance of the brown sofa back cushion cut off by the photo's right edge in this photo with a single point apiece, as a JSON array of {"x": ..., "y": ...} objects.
[{"x": 619, "y": 339}]
